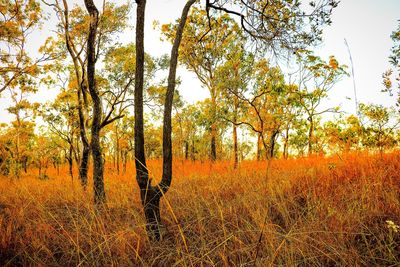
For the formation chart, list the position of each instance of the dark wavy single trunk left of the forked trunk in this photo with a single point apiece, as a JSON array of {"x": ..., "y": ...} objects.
[{"x": 98, "y": 168}]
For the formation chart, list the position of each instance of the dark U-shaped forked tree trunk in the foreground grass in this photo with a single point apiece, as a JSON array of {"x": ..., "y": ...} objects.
[{"x": 151, "y": 195}]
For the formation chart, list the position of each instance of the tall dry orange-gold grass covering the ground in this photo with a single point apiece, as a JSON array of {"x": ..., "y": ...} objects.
[{"x": 340, "y": 210}]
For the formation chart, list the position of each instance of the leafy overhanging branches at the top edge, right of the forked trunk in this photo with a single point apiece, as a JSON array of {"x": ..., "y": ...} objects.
[{"x": 277, "y": 26}]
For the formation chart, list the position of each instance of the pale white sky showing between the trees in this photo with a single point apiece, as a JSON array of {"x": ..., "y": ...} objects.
[{"x": 365, "y": 24}]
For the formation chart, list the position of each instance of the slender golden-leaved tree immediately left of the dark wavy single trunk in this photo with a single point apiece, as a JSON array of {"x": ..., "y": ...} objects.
[{"x": 72, "y": 33}]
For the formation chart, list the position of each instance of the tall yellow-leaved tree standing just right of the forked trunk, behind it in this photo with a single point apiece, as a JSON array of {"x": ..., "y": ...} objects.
[{"x": 203, "y": 56}]
